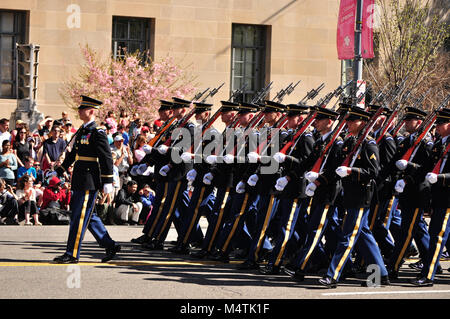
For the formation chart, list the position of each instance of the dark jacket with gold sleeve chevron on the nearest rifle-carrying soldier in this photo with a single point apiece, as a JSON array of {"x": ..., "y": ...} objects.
[{"x": 359, "y": 186}]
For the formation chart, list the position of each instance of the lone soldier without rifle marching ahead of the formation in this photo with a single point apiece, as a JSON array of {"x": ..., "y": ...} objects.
[{"x": 93, "y": 171}]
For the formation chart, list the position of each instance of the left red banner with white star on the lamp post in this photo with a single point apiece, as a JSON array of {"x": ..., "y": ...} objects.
[{"x": 346, "y": 30}]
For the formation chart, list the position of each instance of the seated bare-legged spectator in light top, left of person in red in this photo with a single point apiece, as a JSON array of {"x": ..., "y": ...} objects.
[{"x": 26, "y": 197}]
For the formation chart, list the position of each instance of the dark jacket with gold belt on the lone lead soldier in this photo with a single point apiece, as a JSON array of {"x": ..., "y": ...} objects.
[{"x": 92, "y": 159}]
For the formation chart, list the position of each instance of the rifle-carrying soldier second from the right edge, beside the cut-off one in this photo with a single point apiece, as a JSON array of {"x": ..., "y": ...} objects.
[{"x": 413, "y": 191}]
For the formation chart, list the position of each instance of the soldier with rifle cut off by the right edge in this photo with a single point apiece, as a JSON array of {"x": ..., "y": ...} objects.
[{"x": 439, "y": 177}]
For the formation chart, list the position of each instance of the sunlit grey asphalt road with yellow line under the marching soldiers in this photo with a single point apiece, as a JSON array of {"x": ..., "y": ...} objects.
[{"x": 26, "y": 272}]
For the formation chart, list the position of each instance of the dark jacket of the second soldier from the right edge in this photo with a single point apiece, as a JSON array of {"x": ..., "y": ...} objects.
[{"x": 417, "y": 190}]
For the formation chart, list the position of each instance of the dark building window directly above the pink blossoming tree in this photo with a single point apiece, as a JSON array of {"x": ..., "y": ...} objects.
[{"x": 132, "y": 34}]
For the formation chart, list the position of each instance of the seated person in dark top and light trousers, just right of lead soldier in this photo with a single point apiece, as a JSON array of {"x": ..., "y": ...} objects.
[{"x": 128, "y": 204}]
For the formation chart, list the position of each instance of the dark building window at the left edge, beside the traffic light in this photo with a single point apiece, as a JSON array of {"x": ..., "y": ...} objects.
[{"x": 12, "y": 31}]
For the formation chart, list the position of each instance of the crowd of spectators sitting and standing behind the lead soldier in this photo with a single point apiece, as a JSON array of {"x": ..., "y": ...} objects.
[{"x": 30, "y": 192}]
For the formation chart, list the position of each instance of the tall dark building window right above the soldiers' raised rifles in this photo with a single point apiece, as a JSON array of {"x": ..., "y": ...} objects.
[{"x": 249, "y": 59}]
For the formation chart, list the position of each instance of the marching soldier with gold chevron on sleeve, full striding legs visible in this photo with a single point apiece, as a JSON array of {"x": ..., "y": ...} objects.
[{"x": 358, "y": 182}]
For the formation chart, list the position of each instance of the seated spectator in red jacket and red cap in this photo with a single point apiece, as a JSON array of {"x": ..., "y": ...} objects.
[{"x": 56, "y": 194}]
